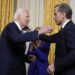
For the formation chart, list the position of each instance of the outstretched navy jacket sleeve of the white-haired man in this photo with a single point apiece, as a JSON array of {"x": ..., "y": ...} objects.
[{"x": 19, "y": 37}]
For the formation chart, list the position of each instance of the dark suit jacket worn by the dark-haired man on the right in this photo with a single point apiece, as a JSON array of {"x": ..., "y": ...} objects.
[{"x": 65, "y": 49}]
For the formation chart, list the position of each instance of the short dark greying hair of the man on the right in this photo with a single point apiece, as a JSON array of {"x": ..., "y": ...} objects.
[{"x": 63, "y": 7}]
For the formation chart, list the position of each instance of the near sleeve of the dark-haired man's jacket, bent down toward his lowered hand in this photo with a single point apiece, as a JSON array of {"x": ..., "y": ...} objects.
[{"x": 69, "y": 59}]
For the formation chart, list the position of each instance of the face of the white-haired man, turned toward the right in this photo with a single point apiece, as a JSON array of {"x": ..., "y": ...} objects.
[{"x": 24, "y": 19}]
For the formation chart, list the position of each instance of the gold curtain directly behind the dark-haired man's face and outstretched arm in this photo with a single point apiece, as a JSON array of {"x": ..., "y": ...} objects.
[{"x": 48, "y": 20}]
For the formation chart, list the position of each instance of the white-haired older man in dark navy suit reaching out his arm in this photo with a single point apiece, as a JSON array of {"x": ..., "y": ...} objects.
[{"x": 12, "y": 42}]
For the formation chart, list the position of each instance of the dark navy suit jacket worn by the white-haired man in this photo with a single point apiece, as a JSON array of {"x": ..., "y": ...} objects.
[{"x": 12, "y": 55}]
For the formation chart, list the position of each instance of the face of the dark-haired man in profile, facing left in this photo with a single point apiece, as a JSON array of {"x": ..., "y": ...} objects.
[{"x": 58, "y": 16}]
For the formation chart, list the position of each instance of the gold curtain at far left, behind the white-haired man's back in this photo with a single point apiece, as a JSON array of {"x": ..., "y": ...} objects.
[{"x": 6, "y": 12}]
